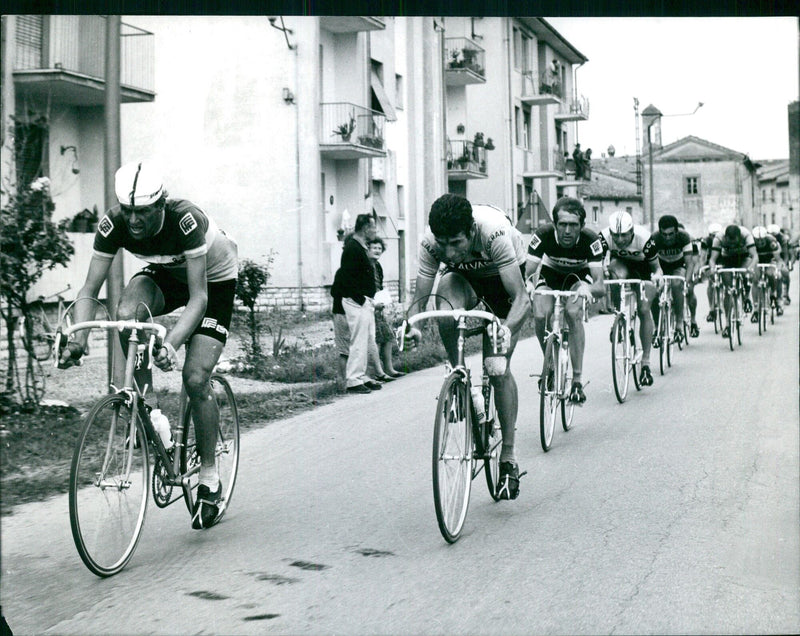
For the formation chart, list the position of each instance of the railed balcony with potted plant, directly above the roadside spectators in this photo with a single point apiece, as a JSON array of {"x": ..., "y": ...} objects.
[{"x": 351, "y": 132}]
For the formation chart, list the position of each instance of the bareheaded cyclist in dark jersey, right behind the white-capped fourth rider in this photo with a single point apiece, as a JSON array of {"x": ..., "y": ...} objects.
[{"x": 675, "y": 255}]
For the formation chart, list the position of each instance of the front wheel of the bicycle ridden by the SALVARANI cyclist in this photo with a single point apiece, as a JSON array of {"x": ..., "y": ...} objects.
[{"x": 452, "y": 457}]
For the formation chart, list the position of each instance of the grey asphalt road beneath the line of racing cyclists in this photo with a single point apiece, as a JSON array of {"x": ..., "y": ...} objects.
[{"x": 676, "y": 512}]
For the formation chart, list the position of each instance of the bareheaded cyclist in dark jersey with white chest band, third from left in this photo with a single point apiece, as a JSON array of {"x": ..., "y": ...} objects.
[{"x": 566, "y": 255}]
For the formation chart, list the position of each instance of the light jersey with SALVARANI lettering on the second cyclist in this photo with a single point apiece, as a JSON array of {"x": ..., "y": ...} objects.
[{"x": 495, "y": 245}]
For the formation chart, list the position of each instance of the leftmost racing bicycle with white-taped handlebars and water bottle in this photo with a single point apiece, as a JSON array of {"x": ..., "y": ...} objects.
[{"x": 111, "y": 476}]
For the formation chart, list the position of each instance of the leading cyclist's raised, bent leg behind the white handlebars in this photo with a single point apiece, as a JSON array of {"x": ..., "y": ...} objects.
[{"x": 143, "y": 292}]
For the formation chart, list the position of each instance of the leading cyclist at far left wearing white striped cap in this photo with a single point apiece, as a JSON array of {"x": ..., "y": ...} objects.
[{"x": 191, "y": 263}]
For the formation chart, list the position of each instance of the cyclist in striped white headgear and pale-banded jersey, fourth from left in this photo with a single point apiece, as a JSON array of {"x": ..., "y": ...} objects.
[{"x": 632, "y": 254}]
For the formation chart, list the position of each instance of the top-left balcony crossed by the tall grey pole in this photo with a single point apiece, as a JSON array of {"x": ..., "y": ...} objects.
[{"x": 62, "y": 58}]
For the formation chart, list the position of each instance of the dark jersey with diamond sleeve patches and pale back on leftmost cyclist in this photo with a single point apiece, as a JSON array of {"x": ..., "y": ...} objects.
[{"x": 187, "y": 232}]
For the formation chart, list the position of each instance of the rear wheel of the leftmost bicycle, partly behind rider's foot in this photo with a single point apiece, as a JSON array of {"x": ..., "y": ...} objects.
[{"x": 227, "y": 449}]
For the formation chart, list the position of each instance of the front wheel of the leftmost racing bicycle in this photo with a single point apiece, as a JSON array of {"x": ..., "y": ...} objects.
[{"x": 108, "y": 486}]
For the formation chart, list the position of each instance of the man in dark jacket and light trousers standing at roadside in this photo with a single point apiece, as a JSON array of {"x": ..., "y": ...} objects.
[{"x": 357, "y": 288}]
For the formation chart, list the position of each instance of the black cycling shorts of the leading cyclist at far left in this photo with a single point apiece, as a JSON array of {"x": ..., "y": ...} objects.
[{"x": 217, "y": 319}]
